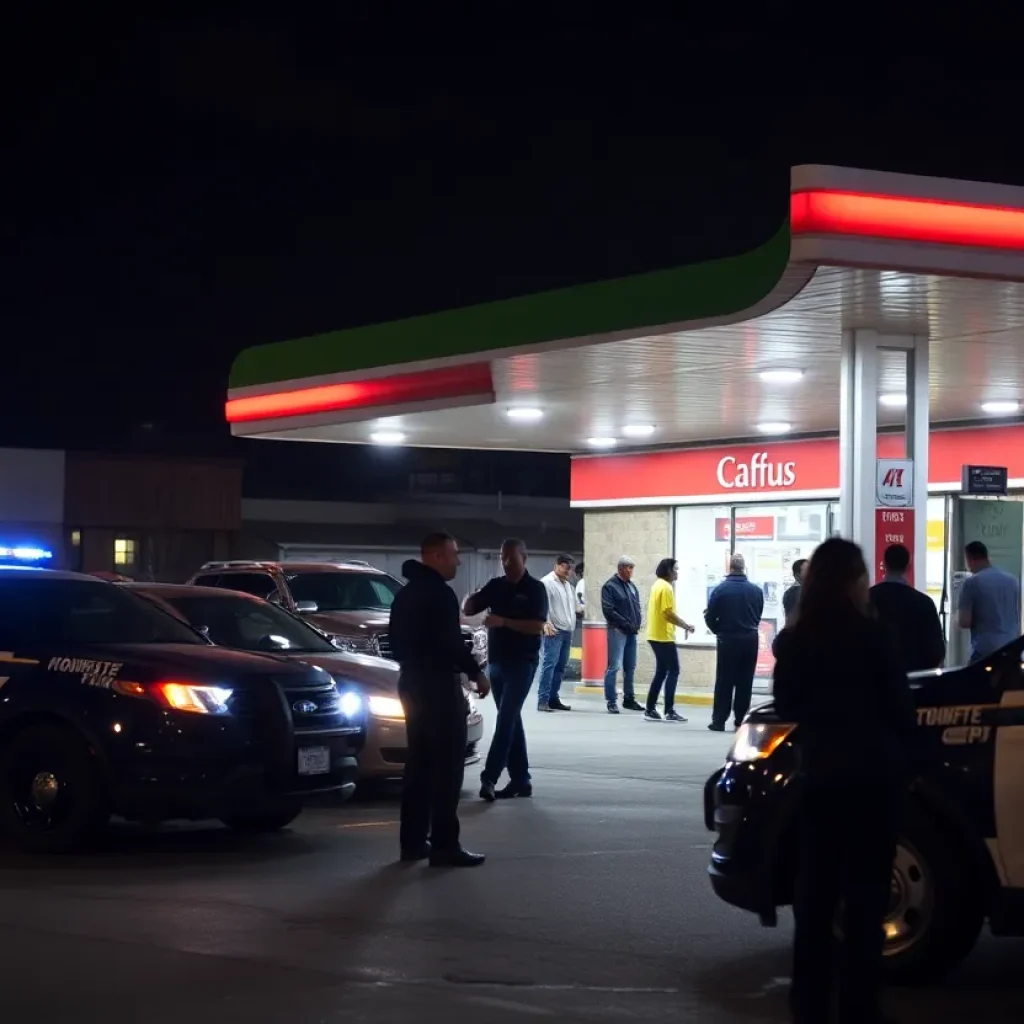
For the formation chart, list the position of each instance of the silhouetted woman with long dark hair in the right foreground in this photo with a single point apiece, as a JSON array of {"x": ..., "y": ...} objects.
[{"x": 839, "y": 678}]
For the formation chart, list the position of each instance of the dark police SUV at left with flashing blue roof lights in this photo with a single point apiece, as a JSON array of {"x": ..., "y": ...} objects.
[{"x": 109, "y": 706}]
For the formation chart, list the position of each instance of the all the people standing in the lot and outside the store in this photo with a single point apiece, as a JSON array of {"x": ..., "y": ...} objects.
[{"x": 841, "y": 673}]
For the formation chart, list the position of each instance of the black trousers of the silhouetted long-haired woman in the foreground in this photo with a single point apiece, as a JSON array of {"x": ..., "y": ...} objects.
[{"x": 847, "y": 845}]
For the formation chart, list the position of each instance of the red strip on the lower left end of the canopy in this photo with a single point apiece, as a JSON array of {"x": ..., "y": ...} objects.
[{"x": 429, "y": 386}]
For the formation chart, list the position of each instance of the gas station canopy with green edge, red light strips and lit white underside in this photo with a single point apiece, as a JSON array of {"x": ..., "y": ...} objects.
[{"x": 720, "y": 352}]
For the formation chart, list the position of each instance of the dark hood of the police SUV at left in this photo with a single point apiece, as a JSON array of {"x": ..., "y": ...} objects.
[{"x": 187, "y": 662}]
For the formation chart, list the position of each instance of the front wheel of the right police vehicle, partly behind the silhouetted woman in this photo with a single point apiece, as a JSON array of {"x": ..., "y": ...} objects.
[{"x": 937, "y": 909}]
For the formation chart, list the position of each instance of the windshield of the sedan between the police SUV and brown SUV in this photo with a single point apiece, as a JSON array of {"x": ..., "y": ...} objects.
[{"x": 248, "y": 624}]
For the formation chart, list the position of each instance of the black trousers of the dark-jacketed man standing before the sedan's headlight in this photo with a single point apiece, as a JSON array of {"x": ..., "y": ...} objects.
[{"x": 436, "y": 726}]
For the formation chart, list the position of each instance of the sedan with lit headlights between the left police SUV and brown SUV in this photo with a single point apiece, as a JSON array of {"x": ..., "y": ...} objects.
[{"x": 242, "y": 622}]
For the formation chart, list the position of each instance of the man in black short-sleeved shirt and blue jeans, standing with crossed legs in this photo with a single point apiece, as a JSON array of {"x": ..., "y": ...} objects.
[{"x": 518, "y": 606}]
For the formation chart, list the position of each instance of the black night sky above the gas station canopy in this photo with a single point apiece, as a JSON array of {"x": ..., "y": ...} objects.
[{"x": 182, "y": 188}]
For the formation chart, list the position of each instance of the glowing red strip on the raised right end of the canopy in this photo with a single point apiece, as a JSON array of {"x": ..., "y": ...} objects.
[{"x": 827, "y": 212}]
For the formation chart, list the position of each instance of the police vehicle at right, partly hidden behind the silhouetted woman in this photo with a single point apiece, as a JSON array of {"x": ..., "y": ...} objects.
[{"x": 960, "y": 862}]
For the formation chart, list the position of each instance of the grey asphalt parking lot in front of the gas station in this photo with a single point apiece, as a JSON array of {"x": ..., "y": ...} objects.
[{"x": 593, "y": 907}]
